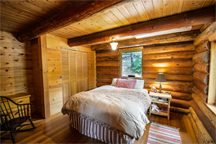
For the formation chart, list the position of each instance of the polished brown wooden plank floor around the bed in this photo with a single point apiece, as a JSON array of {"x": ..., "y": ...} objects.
[{"x": 56, "y": 130}]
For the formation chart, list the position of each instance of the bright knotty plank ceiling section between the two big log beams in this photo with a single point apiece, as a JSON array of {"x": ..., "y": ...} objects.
[{"x": 130, "y": 13}]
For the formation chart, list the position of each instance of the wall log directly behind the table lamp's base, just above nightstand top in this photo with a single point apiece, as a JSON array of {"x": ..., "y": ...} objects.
[{"x": 176, "y": 88}]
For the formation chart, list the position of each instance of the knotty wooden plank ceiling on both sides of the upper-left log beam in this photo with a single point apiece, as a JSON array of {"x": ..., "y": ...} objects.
[{"x": 18, "y": 15}]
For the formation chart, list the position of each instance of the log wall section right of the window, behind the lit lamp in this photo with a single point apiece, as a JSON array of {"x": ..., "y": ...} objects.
[{"x": 175, "y": 61}]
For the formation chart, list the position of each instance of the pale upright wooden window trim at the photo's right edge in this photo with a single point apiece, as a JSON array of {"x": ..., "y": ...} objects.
[{"x": 212, "y": 75}]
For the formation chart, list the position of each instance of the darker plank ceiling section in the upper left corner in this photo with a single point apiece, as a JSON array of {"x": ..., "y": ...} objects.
[{"x": 18, "y": 15}]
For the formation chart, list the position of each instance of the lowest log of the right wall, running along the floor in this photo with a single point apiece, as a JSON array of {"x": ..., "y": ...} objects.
[{"x": 200, "y": 126}]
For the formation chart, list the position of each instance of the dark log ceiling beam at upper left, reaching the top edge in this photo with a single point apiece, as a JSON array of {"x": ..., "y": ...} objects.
[{"x": 79, "y": 10}]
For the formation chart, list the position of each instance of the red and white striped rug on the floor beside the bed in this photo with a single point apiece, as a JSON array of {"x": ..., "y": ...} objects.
[{"x": 161, "y": 134}]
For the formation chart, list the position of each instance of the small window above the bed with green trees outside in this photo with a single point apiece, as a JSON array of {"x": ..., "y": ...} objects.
[{"x": 131, "y": 63}]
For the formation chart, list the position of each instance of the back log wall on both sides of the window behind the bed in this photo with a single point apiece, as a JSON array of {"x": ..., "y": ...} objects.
[{"x": 174, "y": 60}]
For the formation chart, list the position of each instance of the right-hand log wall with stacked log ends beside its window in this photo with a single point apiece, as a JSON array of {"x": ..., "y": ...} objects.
[{"x": 202, "y": 118}]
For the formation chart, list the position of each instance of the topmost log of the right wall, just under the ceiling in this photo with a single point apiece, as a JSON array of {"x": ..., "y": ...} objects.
[{"x": 205, "y": 34}]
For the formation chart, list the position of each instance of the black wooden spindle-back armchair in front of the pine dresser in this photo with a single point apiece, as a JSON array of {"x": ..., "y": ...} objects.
[{"x": 12, "y": 117}]
